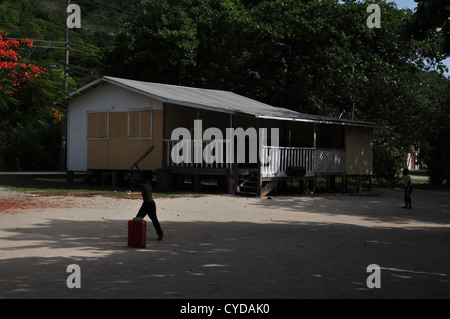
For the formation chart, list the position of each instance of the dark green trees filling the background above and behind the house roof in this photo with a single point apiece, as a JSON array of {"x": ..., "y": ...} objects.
[{"x": 311, "y": 56}]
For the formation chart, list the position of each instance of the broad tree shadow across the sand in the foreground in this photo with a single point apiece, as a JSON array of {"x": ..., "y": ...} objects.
[{"x": 226, "y": 260}]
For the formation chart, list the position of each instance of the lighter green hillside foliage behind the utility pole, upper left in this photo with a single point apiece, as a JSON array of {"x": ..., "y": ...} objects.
[{"x": 45, "y": 22}]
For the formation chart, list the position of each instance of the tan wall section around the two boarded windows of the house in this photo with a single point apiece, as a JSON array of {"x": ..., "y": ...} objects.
[{"x": 119, "y": 152}]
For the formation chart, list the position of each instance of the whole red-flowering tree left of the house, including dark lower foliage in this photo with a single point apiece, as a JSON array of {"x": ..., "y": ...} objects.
[{"x": 30, "y": 120}]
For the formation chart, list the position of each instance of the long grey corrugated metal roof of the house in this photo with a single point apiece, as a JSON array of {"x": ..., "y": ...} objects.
[{"x": 216, "y": 100}]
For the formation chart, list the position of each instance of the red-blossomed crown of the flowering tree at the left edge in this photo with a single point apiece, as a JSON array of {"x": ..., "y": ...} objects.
[{"x": 25, "y": 89}]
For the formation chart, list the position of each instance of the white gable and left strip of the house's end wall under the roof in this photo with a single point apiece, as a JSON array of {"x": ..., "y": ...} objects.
[{"x": 107, "y": 97}]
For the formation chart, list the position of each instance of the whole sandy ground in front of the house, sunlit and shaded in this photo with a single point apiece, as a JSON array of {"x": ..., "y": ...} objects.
[{"x": 228, "y": 247}]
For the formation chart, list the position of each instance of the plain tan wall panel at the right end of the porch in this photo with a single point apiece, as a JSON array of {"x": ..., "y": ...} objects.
[{"x": 359, "y": 150}]
